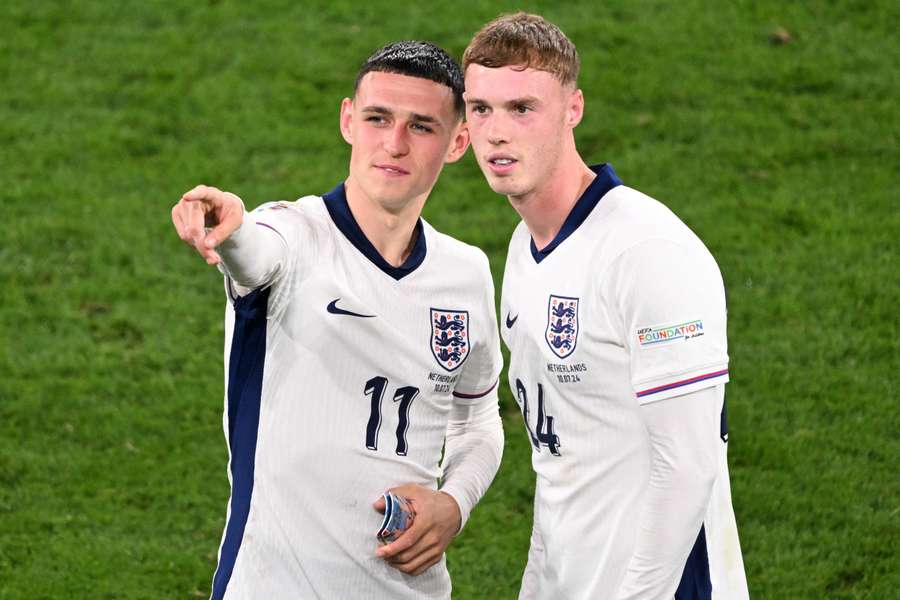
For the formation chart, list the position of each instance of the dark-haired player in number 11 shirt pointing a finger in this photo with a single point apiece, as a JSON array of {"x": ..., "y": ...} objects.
[{"x": 361, "y": 343}]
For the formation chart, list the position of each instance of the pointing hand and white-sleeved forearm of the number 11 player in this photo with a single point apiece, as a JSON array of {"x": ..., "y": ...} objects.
[{"x": 216, "y": 225}]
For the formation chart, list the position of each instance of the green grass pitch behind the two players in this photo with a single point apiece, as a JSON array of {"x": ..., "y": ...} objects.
[{"x": 782, "y": 156}]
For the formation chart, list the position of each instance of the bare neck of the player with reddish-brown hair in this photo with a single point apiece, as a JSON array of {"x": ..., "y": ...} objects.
[{"x": 545, "y": 209}]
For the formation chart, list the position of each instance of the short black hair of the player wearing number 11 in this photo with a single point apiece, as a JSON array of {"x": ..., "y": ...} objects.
[{"x": 417, "y": 59}]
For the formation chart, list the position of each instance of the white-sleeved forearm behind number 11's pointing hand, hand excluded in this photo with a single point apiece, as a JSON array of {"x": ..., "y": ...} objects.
[{"x": 253, "y": 254}]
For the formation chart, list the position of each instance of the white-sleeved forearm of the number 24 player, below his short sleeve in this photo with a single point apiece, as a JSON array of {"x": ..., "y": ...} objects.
[{"x": 683, "y": 437}]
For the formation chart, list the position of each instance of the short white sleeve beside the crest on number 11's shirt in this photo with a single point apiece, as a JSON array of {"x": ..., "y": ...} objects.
[{"x": 481, "y": 371}]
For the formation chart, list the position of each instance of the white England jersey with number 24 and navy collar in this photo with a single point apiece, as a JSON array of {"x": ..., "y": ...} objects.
[{"x": 625, "y": 306}]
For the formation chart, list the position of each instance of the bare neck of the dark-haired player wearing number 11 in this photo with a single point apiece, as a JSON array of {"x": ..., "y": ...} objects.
[{"x": 390, "y": 229}]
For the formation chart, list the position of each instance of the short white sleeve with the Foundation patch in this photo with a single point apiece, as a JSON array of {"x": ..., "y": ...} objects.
[{"x": 671, "y": 301}]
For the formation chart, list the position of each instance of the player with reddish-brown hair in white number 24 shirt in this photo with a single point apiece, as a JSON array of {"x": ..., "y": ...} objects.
[{"x": 615, "y": 321}]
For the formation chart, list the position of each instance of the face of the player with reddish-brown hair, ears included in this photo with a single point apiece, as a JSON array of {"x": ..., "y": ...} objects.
[{"x": 520, "y": 123}]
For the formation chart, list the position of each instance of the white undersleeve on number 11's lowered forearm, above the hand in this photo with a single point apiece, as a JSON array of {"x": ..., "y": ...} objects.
[{"x": 472, "y": 452}]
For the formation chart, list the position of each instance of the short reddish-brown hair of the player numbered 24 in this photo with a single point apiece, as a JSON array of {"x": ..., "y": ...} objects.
[{"x": 521, "y": 40}]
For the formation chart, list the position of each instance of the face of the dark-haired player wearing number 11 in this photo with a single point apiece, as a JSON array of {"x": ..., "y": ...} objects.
[{"x": 402, "y": 130}]
